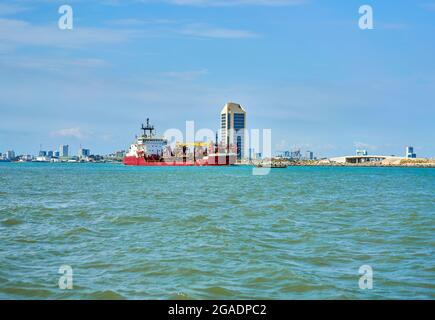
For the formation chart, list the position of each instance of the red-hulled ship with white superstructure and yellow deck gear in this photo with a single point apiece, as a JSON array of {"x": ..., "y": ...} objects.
[{"x": 150, "y": 150}]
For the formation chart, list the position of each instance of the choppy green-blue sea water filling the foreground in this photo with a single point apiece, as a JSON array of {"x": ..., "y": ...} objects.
[{"x": 215, "y": 233}]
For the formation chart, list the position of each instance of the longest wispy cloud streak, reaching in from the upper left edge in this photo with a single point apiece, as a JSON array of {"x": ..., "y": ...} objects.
[{"x": 16, "y": 33}]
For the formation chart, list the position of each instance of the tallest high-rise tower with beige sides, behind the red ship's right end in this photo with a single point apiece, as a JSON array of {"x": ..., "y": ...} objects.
[{"x": 233, "y": 125}]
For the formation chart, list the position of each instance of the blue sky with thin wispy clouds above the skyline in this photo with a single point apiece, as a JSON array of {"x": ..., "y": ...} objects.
[{"x": 302, "y": 68}]
